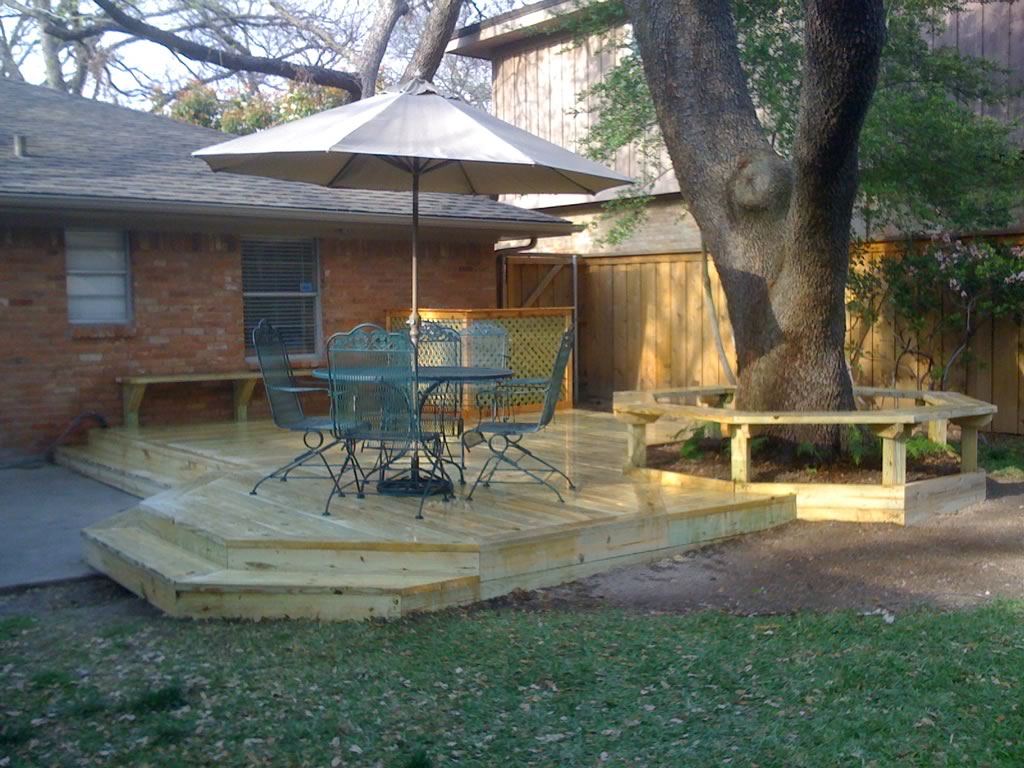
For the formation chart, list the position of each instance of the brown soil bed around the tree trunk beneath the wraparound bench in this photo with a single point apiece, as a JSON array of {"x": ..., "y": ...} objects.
[{"x": 782, "y": 465}]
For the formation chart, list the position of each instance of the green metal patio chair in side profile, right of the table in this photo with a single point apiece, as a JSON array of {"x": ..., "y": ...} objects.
[{"x": 505, "y": 437}]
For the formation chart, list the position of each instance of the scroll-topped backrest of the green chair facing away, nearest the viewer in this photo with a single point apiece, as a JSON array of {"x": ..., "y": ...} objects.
[{"x": 372, "y": 379}]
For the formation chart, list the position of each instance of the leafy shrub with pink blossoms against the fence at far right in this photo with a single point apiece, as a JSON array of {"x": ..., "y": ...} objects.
[{"x": 945, "y": 290}]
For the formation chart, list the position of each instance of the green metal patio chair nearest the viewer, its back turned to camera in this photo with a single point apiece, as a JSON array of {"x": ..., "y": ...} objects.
[{"x": 375, "y": 405}]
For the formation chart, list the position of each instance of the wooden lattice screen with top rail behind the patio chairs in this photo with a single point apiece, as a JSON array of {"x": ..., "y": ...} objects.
[{"x": 534, "y": 338}]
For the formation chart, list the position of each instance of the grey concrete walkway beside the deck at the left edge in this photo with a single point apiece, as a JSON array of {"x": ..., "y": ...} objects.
[{"x": 41, "y": 514}]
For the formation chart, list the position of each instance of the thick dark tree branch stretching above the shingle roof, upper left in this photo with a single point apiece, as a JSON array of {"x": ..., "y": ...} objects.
[{"x": 198, "y": 53}]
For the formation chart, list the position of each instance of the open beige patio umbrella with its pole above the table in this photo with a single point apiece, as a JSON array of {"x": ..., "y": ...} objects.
[{"x": 412, "y": 139}]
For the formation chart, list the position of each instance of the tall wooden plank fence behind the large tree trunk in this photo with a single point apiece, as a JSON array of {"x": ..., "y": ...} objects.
[{"x": 644, "y": 325}]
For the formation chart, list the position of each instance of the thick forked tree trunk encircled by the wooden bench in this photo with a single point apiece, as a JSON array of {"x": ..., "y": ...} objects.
[{"x": 779, "y": 229}]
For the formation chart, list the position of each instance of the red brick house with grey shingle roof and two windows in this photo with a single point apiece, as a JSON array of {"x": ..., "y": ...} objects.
[{"x": 122, "y": 255}]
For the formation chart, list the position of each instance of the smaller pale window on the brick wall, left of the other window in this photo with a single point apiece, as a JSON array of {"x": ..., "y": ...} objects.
[{"x": 99, "y": 278}]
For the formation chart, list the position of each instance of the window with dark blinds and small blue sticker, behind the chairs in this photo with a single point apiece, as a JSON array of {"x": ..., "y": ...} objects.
[{"x": 280, "y": 283}]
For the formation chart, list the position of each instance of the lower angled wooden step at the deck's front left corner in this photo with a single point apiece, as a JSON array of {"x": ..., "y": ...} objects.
[{"x": 182, "y": 583}]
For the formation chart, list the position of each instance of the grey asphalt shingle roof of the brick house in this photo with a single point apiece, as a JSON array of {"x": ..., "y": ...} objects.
[{"x": 82, "y": 148}]
